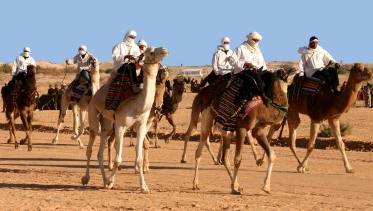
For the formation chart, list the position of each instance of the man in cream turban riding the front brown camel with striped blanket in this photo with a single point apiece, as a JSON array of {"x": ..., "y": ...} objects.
[{"x": 248, "y": 55}]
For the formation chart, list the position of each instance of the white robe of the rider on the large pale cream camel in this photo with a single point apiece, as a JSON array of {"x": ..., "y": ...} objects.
[{"x": 121, "y": 50}]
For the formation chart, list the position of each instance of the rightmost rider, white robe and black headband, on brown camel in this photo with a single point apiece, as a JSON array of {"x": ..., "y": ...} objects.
[{"x": 313, "y": 60}]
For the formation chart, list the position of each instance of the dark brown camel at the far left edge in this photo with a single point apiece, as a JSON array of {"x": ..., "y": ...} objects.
[{"x": 22, "y": 106}]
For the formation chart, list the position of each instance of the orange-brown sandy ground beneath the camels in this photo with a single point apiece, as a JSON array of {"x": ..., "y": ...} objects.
[{"x": 49, "y": 177}]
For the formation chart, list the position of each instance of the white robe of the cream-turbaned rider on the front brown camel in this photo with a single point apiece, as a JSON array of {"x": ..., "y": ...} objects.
[{"x": 242, "y": 54}]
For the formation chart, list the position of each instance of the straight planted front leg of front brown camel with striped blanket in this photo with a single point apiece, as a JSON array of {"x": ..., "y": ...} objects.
[{"x": 240, "y": 139}]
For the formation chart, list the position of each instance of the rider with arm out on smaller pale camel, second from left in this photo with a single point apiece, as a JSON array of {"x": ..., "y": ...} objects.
[{"x": 84, "y": 60}]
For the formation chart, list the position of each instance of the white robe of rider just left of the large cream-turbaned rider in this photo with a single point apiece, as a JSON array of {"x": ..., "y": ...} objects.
[{"x": 220, "y": 62}]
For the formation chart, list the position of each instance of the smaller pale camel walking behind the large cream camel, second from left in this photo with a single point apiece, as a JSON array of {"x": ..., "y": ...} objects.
[{"x": 79, "y": 109}]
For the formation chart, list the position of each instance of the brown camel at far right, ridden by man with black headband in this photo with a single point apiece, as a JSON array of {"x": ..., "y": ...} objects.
[{"x": 326, "y": 106}]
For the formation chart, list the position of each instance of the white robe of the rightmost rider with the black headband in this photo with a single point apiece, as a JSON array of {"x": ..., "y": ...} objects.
[{"x": 313, "y": 60}]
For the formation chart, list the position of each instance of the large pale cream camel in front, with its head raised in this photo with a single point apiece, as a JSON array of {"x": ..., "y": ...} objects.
[{"x": 134, "y": 111}]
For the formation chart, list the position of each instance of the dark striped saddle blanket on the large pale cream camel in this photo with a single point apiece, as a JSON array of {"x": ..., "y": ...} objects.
[{"x": 119, "y": 90}]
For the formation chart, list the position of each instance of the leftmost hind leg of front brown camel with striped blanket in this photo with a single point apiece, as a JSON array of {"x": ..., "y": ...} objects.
[{"x": 206, "y": 125}]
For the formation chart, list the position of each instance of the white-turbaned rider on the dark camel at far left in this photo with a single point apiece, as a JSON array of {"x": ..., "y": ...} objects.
[{"x": 19, "y": 70}]
